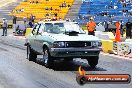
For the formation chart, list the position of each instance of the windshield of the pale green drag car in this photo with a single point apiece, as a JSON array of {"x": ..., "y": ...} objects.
[{"x": 58, "y": 28}]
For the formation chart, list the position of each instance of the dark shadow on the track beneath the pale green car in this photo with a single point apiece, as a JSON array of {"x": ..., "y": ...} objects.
[{"x": 62, "y": 65}]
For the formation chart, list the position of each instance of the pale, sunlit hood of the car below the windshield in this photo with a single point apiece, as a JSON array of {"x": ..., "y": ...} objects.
[{"x": 79, "y": 37}]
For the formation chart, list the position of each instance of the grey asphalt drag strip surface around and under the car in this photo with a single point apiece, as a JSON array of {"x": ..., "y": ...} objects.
[{"x": 17, "y": 72}]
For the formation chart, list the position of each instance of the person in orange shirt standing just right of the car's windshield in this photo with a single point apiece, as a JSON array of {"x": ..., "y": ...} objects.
[{"x": 91, "y": 27}]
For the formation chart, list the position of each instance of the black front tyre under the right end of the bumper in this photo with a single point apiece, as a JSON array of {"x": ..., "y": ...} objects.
[{"x": 93, "y": 61}]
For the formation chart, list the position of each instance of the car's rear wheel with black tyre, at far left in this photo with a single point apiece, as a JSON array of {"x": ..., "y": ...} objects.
[{"x": 31, "y": 55}]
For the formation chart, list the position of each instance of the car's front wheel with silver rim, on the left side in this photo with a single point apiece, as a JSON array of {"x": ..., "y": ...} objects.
[{"x": 48, "y": 60}]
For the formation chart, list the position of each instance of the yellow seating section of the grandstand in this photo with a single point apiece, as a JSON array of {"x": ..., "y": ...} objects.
[{"x": 43, "y": 9}]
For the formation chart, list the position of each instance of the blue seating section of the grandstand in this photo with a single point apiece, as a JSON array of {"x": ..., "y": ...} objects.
[{"x": 103, "y": 10}]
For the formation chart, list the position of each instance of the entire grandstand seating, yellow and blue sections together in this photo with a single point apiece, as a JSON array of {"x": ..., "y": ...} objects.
[{"x": 81, "y": 11}]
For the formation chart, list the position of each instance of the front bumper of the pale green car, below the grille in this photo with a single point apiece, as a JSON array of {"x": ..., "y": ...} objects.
[{"x": 74, "y": 52}]
